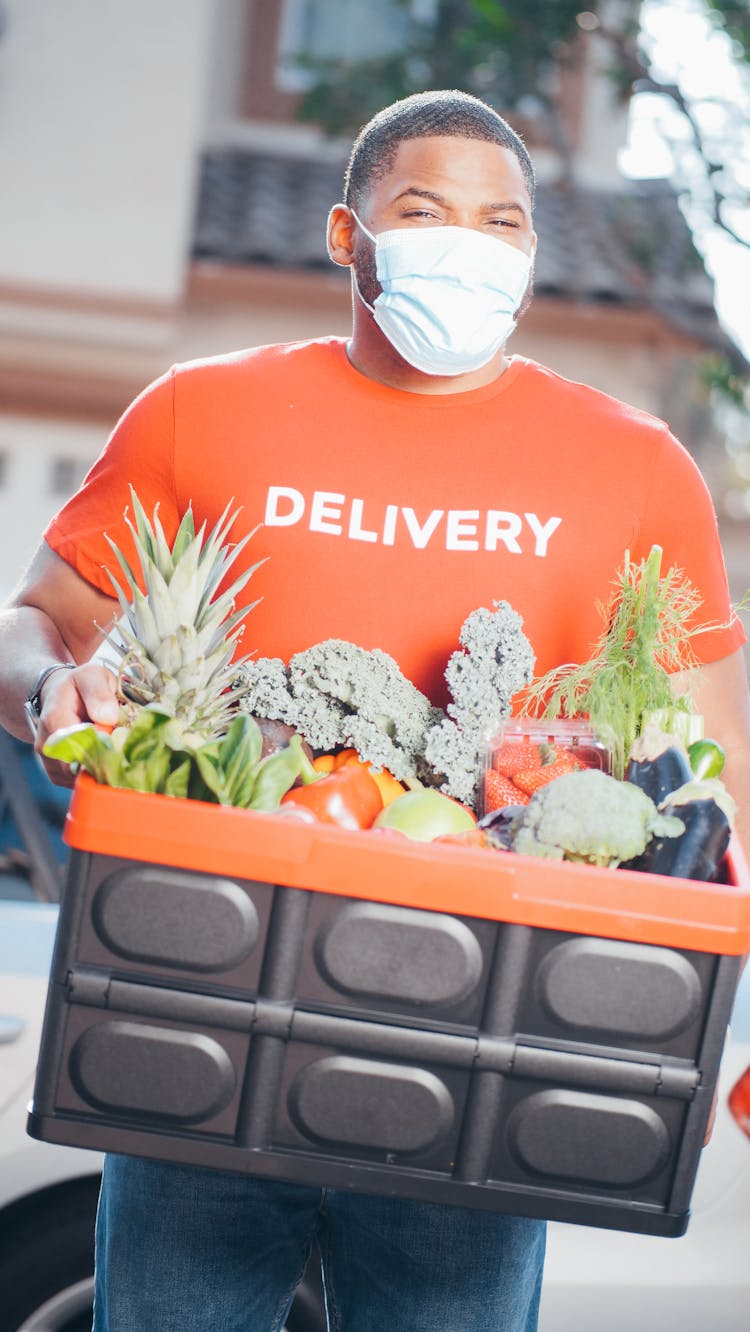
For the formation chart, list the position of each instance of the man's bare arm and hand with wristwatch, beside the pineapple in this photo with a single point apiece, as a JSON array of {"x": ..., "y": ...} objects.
[{"x": 55, "y": 616}]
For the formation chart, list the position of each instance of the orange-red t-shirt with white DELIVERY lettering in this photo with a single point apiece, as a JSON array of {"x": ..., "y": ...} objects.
[{"x": 387, "y": 517}]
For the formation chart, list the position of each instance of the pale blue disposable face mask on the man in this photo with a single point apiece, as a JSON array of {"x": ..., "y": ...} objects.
[{"x": 450, "y": 295}]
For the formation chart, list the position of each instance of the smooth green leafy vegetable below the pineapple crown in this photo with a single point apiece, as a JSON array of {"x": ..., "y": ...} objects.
[{"x": 143, "y": 759}]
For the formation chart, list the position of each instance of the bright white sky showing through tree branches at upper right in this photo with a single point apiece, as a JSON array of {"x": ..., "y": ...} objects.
[{"x": 687, "y": 47}]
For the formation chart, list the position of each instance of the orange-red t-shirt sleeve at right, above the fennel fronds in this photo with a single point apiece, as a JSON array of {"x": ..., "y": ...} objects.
[{"x": 681, "y": 519}]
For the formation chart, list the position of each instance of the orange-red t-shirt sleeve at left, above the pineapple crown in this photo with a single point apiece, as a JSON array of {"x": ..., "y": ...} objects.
[{"x": 141, "y": 455}]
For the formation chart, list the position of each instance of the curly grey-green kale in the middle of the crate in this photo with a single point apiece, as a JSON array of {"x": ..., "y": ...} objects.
[{"x": 336, "y": 695}]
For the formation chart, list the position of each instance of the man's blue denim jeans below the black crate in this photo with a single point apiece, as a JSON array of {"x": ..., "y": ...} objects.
[{"x": 187, "y": 1250}]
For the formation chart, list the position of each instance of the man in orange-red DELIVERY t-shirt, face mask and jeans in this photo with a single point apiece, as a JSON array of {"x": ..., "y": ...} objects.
[{"x": 404, "y": 479}]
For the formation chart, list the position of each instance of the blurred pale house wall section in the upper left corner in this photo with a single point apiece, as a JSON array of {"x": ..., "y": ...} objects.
[{"x": 102, "y": 107}]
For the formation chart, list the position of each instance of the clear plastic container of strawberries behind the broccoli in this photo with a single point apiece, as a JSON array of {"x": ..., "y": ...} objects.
[{"x": 527, "y": 755}]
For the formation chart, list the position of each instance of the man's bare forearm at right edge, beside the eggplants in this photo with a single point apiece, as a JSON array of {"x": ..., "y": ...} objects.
[{"x": 720, "y": 692}]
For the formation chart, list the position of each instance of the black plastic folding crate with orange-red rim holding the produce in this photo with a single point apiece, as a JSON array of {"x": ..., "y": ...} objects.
[{"x": 355, "y": 1010}]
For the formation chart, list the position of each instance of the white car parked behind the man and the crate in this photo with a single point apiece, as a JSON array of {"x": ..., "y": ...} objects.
[{"x": 595, "y": 1279}]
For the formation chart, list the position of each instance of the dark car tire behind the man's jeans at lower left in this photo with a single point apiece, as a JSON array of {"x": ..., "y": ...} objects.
[{"x": 47, "y": 1266}]
